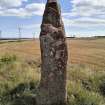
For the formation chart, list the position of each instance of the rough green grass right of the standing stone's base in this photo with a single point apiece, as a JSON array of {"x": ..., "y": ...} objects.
[{"x": 84, "y": 86}]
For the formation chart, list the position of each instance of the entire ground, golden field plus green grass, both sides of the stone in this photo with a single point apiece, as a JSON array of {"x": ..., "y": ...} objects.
[{"x": 20, "y": 72}]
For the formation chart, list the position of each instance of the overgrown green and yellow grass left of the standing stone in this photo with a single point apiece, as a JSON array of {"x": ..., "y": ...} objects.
[{"x": 16, "y": 78}]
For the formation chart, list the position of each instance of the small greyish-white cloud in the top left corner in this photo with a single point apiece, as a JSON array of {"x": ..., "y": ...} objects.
[{"x": 11, "y": 3}]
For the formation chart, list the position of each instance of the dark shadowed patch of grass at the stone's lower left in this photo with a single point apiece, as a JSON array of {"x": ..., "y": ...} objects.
[{"x": 23, "y": 94}]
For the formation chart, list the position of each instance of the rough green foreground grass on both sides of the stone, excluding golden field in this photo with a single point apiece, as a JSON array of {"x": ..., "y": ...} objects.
[{"x": 19, "y": 80}]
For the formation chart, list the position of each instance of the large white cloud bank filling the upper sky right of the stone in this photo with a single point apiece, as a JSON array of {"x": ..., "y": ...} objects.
[{"x": 86, "y": 14}]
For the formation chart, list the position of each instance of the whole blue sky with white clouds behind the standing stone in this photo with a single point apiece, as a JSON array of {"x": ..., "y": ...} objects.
[{"x": 81, "y": 17}]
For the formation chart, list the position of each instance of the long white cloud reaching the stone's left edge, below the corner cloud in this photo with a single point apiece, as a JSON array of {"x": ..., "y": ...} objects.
[{"x": 27, "y": 11}]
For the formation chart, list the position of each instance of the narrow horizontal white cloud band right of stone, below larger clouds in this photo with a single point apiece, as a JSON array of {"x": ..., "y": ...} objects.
[{"x": 84, "y": 22}]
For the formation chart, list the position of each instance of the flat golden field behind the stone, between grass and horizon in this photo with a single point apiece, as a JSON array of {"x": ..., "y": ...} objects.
[{"x": 89, "y": 52}]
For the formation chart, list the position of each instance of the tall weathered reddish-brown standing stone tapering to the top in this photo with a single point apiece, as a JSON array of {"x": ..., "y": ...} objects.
[{"x": 52, "y": 88}]
